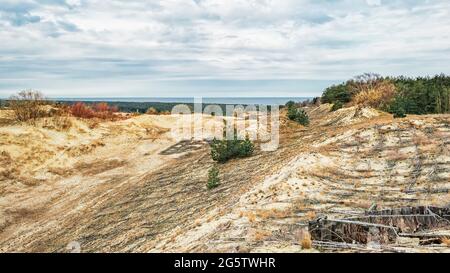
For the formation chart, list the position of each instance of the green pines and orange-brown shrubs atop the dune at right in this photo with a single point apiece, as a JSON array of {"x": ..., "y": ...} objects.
[{"x": 421, "y": 95}]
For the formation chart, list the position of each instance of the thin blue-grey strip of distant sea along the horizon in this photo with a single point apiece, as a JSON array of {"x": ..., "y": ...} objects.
[{"x": 217, "y": 100}]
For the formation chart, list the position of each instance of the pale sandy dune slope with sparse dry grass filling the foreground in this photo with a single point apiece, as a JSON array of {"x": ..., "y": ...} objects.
[{"x": 129, "y": 186}]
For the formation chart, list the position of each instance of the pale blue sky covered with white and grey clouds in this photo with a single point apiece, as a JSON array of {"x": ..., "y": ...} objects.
[{"x": 215, "y": 48}]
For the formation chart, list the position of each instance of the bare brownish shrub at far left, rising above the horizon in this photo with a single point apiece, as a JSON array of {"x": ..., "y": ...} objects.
[{"x": 28, "y": 105}]
